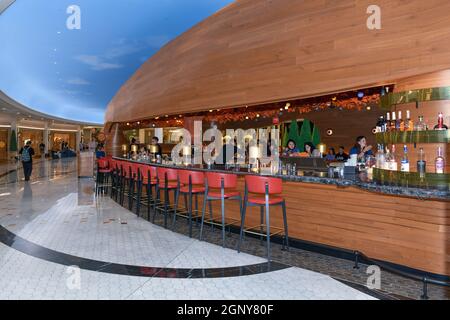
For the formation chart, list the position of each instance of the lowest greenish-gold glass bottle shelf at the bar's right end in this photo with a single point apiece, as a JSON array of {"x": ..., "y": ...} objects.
[{"x": 412, "y": 179}]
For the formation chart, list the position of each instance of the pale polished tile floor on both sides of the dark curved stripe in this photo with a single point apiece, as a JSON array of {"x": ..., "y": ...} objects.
[{"x": 58, "y": 211}]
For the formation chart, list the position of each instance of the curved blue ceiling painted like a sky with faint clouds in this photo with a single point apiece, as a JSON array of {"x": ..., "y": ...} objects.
[{"x": 74, "y": 73}]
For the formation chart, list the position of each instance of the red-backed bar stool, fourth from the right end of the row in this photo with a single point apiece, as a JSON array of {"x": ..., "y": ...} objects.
[{"x": 167, "y": 180}]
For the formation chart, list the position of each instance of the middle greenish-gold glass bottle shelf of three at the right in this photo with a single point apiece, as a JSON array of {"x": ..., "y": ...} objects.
[{"x": 401, "y": 137}]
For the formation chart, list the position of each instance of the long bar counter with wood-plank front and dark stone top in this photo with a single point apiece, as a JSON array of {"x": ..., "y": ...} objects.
[{"x": 401, "y": 225}]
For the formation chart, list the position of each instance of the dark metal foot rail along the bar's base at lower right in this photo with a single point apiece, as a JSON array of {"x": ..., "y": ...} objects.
[{"x": 424, "y": 279}]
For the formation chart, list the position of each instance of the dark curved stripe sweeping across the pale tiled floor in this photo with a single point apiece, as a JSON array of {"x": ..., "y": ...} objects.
[{"x": 20, "y": 244}]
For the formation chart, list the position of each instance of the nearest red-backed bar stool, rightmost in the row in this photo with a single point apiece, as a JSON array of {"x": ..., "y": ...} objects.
[{"x": 265, "y": 193}]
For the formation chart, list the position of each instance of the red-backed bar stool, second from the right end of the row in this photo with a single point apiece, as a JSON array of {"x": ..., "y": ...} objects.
[{"x": 220, "y": 186}]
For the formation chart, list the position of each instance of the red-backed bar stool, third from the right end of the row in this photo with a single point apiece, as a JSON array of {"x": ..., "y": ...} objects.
[{"x": 193, "y": 184}]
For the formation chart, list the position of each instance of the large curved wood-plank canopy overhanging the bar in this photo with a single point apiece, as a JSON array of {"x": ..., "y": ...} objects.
[{"x": 259, "y": 51}]
